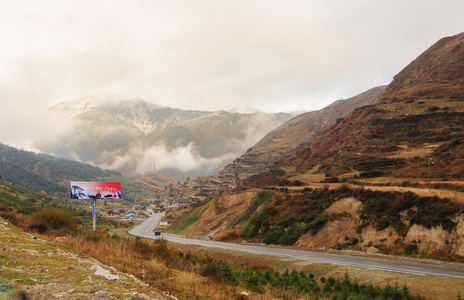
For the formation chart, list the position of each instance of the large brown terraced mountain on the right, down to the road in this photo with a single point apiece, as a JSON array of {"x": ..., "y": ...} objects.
[{"x": 364, "y": 182}]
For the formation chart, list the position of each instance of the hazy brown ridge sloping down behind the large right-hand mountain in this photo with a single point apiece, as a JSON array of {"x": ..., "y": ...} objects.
[{"x": 294, "y": 134}]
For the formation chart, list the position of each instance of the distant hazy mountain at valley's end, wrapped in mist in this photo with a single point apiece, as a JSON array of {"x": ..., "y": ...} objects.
[{"x": 130, "y": 136}]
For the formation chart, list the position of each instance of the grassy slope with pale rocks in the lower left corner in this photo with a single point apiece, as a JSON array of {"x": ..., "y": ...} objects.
[{"x": 44, "y": 270}]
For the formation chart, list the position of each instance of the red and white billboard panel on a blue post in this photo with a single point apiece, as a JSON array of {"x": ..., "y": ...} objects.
[{"x": 95, "y": 190}]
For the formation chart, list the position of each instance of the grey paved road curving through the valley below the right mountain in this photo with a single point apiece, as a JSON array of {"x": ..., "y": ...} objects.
[{"x": 146, "y": 230}]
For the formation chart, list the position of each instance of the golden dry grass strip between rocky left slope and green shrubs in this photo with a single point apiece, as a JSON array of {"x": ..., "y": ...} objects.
[{"x": 158, "y": 272}]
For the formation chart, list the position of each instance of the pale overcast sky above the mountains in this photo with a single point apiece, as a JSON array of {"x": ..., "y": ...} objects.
[{"x": 206, "y": 54}]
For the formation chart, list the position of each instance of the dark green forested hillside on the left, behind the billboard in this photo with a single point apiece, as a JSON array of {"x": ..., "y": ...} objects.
[{"x": 52, "y": 175}]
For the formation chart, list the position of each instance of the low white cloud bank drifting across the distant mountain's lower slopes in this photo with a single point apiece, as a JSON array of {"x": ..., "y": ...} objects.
[{"x": 180, "y": 162}]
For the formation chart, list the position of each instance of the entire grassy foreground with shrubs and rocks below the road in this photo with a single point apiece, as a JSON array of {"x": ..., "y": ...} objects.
[{"x": 155, "y": 270}]
